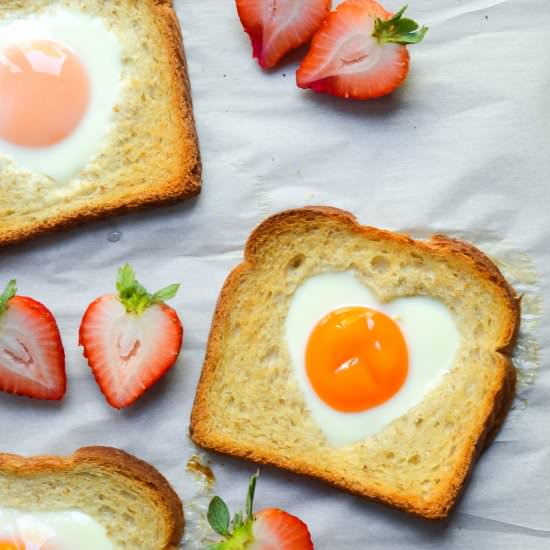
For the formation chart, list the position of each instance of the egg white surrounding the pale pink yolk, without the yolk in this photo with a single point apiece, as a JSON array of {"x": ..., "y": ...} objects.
[{"x": 101, "y": 53}]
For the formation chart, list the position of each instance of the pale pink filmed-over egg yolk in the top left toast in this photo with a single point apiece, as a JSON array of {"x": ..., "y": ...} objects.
[{"x": 44, "y": 93}]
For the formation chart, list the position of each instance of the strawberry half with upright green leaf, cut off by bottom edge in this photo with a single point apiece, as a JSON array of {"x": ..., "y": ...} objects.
[{"x": 268, "y": 529}]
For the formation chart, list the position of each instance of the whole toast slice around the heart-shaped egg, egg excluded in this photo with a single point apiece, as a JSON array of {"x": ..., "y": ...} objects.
[{"x": 248, "y": 403}]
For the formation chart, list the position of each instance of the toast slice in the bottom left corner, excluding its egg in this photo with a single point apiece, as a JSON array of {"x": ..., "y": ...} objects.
[{"x": 127, "y": 496}]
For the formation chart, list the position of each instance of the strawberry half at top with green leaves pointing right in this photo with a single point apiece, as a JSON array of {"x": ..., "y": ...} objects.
[{"x": 359, "y": 51}]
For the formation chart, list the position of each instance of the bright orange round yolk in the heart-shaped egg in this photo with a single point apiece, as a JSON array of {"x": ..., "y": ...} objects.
[{"x": 356, "y": 359}]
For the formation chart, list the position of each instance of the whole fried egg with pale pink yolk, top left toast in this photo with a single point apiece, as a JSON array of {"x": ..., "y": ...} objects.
[{"x": 59, "y": 81}]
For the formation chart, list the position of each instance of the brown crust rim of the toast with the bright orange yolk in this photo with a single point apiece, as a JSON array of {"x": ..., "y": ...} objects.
[{"x": 492, "y": 416}]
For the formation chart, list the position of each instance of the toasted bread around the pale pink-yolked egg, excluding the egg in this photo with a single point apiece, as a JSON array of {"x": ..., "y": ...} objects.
[{"x": 147, "y": 157}]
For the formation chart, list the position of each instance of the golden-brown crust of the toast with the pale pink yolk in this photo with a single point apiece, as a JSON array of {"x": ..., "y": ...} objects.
[{"x": 184, "y": 182}]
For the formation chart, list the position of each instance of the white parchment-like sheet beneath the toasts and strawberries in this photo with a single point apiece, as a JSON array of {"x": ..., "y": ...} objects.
[{"x": 463, "y": 148}]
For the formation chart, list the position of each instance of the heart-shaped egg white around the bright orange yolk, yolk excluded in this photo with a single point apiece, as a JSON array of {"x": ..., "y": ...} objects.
[{"x": 428, "y": 328}]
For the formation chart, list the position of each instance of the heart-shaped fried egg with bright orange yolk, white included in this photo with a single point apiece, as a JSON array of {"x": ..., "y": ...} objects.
[{"x": 361, "y": 363}]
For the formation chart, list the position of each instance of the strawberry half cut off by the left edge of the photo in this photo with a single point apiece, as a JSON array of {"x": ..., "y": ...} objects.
[{"x": 32, "y": 359}]
